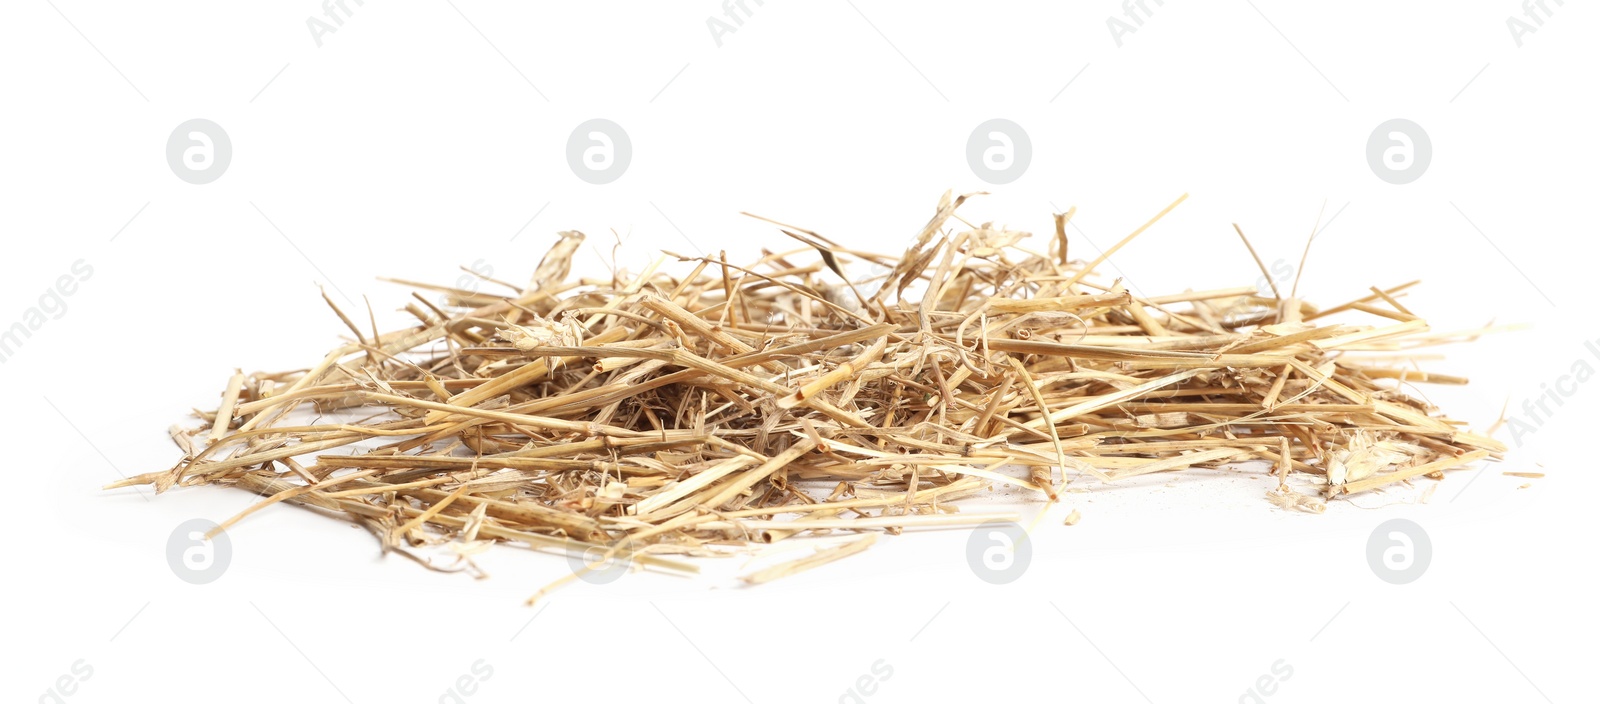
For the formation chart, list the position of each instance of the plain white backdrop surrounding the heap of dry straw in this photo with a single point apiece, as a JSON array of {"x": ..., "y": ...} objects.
[{"x": 425, "y": 135}]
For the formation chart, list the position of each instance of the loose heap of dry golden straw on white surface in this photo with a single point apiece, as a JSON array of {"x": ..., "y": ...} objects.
[{"x": 703, "y": 404}]
